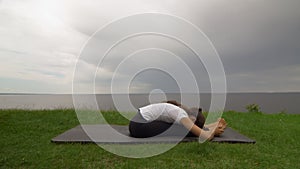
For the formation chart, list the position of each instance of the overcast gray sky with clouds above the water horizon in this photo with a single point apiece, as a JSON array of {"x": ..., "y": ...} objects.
[{"x": 42, "y": 42}]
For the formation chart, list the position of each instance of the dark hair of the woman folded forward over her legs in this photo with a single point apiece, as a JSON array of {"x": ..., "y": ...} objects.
[{"x": 197, "y": 112}]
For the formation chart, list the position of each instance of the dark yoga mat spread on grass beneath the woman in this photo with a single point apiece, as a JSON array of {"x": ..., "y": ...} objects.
[{"x": 116, "y": 134}]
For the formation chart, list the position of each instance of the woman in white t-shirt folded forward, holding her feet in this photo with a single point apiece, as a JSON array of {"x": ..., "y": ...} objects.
[{"x": 155, "y": 119}]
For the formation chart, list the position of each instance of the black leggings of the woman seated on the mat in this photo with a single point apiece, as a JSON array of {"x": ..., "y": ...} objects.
[{"x": 140, "y": 128}]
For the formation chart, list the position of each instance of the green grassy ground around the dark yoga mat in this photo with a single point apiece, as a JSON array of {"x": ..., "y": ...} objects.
[{"x": 25, "y": 143}]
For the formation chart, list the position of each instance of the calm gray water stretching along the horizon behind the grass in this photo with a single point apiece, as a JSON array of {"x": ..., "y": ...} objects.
[{"x": 269, "y": 102}]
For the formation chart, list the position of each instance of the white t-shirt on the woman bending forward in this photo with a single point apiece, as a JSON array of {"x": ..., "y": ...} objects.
[{"x": 163, "y": 112}]
